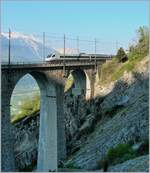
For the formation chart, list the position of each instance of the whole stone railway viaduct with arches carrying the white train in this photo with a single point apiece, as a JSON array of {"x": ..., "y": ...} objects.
[{"x": 51, "y": 78}]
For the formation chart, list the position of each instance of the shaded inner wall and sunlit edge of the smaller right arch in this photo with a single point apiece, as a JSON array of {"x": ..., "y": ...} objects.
[{"x": 81, "y": 83}]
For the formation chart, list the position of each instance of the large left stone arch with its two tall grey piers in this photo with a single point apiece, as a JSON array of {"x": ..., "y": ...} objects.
[{"x": 49, "y": 116}]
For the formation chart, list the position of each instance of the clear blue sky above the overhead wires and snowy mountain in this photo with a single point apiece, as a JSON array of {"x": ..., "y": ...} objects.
[{"x": 105, "y": 20}]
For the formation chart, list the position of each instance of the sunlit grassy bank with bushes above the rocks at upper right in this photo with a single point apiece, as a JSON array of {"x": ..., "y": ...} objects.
[{"x": 114, "y": 69}]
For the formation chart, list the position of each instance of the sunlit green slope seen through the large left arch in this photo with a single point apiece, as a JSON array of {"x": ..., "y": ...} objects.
[{"x": 28, "y": 107}]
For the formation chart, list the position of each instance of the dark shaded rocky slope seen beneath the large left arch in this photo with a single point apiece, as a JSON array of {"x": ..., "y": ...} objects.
[{"x": 26, "y": 133}]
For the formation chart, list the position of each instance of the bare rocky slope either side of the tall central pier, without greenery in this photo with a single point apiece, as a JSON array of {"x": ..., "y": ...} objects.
[{"x": 117, "y": 114}]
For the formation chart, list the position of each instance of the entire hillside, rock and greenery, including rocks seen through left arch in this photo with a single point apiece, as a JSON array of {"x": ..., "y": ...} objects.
[{"x": 107, "y": 133}]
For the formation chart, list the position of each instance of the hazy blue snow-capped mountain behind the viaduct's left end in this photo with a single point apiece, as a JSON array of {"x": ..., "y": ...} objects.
[{"x": 24, "y": 48}]
